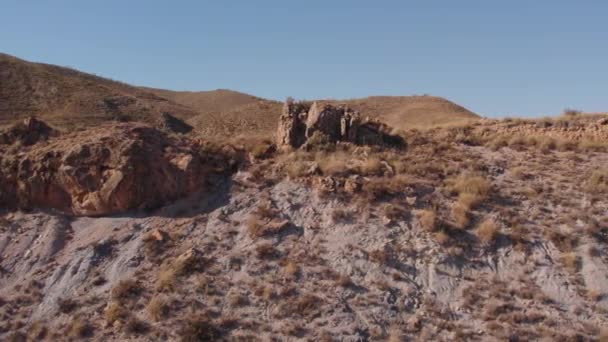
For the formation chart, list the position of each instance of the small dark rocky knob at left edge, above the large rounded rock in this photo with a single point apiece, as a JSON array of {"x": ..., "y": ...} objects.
[{"x": 28, "y": 132}]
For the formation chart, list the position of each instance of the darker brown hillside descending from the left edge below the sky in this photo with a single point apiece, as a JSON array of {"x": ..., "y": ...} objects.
[{"x": 67, "y": 98}]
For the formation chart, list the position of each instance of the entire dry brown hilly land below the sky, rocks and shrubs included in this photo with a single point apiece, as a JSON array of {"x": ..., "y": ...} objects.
[{"x": 140, "y": 214}]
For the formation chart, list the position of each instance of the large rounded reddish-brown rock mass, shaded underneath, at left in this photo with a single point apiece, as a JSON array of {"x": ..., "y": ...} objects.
[{"x": 109, "y": 169}]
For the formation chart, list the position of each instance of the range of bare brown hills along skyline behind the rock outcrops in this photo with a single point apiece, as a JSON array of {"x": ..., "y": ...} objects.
[{"x": 69, "y": 99}]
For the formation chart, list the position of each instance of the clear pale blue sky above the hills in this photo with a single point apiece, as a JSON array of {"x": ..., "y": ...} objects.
[{"x": 498, "y": 58}]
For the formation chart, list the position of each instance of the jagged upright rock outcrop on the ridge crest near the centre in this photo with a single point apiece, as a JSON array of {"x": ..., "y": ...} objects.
[{"x": 300, "y": 121}]
